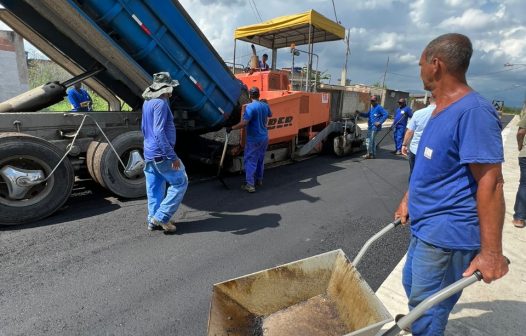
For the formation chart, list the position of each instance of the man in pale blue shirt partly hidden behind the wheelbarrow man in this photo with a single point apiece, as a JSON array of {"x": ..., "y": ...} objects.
[{"x": 415, "y": 127}]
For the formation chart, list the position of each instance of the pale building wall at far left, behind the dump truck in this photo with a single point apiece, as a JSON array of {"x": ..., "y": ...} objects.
[{"x": 13, "y": 65}]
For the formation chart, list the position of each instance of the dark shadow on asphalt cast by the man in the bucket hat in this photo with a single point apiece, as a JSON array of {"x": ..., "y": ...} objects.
[{"x": 235, "y": 224}]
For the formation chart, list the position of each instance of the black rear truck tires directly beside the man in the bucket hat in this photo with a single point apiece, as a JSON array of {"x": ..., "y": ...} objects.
[{"x": 106, "y": 169}]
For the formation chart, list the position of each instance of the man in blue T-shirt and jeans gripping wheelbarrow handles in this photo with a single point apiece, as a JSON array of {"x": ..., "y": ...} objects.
[{"x": 455, "y": 199}]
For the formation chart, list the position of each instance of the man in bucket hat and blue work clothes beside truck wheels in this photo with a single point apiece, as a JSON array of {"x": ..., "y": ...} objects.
[{"x": 162, "y": 166}]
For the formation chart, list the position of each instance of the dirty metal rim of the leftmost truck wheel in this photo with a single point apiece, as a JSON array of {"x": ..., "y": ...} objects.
[{"x": 35, "y": 193}]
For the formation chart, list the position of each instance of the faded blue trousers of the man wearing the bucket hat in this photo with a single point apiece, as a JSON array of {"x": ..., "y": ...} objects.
[{"x": 165, "y": 188}]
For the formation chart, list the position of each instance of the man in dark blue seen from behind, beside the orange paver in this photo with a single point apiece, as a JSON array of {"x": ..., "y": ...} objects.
[{"x": 255, "y": 121}]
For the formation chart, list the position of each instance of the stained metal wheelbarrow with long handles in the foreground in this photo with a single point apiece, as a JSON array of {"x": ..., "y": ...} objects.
[{"x": 319, "y": 295}]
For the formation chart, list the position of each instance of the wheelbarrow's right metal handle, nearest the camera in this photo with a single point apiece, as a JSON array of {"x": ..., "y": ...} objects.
[{"x": 434, "y": 299}]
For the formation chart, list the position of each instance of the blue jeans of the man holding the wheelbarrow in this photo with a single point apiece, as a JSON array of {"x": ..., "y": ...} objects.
[{"x": 427, "y": 270}]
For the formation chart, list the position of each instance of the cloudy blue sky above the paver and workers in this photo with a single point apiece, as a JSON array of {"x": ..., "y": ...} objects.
[{"x": 382, "y": 29}]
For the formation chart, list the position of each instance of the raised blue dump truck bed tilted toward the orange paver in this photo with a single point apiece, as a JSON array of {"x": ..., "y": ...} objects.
[{"x": 134, "y": 39}]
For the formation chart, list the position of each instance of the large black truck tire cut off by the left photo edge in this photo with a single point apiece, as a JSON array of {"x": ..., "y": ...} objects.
[{"x": 27, "y": 152}]
